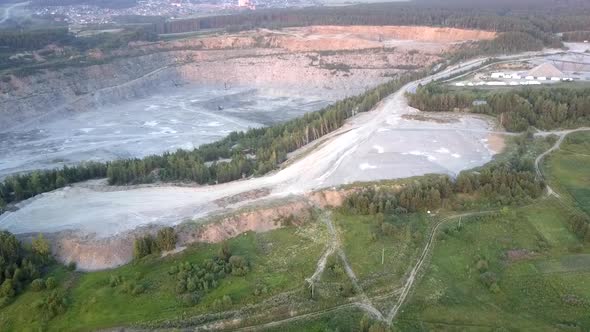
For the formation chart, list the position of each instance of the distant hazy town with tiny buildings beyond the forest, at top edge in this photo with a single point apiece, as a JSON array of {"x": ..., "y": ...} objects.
[{"x": 173, "y": 9}]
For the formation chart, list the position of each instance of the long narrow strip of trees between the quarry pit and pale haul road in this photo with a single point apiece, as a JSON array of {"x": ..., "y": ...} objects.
[{"x": 241, "y": 154}]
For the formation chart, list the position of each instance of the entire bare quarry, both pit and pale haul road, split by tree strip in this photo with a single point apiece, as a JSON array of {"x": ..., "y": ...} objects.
[{"x": 156, "y": 97}]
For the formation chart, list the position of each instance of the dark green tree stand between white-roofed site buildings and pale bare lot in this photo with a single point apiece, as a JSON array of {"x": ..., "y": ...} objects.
[{"x": 517, "y": 110}]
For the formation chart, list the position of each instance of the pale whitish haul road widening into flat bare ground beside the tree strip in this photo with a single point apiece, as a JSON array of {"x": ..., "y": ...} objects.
[{"x": 381, "y": 144}]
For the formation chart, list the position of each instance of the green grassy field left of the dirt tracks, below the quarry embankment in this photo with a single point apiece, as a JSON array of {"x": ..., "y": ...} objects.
[{"x": 280, "y": 260}]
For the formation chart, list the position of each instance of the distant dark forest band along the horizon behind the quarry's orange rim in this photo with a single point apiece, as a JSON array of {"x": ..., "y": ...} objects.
[{"x": 542, "y": 16}]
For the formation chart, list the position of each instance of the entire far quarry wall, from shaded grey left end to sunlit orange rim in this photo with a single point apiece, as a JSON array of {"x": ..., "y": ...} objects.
[{"x": 344, "y": 60}]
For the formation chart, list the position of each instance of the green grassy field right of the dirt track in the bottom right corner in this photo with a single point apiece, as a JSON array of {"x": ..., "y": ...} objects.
[{"x": 497, "y": 272}]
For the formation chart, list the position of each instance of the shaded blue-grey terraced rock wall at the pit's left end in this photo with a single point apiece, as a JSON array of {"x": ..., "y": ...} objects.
[{"x": 78, "y": 88}]
